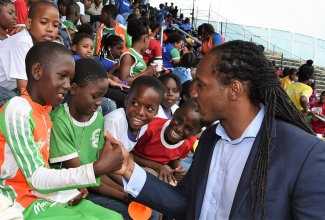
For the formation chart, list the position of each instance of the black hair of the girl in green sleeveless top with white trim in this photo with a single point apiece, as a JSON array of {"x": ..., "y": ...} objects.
[{"x": 137, "y": 28}]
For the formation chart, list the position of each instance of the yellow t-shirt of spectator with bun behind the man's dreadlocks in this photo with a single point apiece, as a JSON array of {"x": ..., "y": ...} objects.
[{"x": 296, "y": 90}]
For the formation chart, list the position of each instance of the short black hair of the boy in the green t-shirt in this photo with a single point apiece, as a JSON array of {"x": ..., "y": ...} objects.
[{"x": 88, "y": 71}]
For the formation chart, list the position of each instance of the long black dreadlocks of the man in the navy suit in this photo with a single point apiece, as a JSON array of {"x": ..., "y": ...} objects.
[{"x": 245, "y": 62}]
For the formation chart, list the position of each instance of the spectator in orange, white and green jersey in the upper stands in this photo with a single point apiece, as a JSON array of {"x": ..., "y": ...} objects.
[{"x": 110, "y": 26}]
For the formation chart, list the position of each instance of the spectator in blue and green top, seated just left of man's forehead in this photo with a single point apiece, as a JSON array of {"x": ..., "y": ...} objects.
[{"x": 171, "y": 51}]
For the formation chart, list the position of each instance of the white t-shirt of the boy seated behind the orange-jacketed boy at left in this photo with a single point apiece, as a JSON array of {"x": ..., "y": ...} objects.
[{"x": 13, "y": 52}]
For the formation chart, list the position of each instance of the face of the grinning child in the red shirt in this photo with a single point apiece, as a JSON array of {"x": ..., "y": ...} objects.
[{"x": 185, "y": 123}]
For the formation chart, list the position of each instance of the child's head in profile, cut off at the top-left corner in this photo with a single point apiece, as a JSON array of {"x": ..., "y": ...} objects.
[{"x": 8, "y": 18}]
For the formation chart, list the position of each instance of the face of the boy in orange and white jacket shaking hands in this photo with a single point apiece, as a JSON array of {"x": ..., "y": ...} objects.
[{"x": 53, "y": 81}]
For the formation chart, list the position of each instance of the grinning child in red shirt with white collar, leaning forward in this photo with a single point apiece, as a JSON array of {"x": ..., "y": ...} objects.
[{"x": 166, "y": 141}]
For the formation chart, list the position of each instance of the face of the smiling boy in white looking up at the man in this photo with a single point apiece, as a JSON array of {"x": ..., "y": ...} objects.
[{"x": 141, "y": 106}]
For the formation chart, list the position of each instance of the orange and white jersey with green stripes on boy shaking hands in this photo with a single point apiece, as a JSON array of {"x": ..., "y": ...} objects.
[{"x": 24, "y": 152}]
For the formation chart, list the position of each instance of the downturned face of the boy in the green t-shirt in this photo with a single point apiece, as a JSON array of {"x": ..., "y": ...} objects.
[{"x": 87, "y": 99}]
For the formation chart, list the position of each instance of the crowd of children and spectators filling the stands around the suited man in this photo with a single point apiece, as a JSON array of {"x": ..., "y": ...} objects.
[{"x": 70, "y": 91}]
